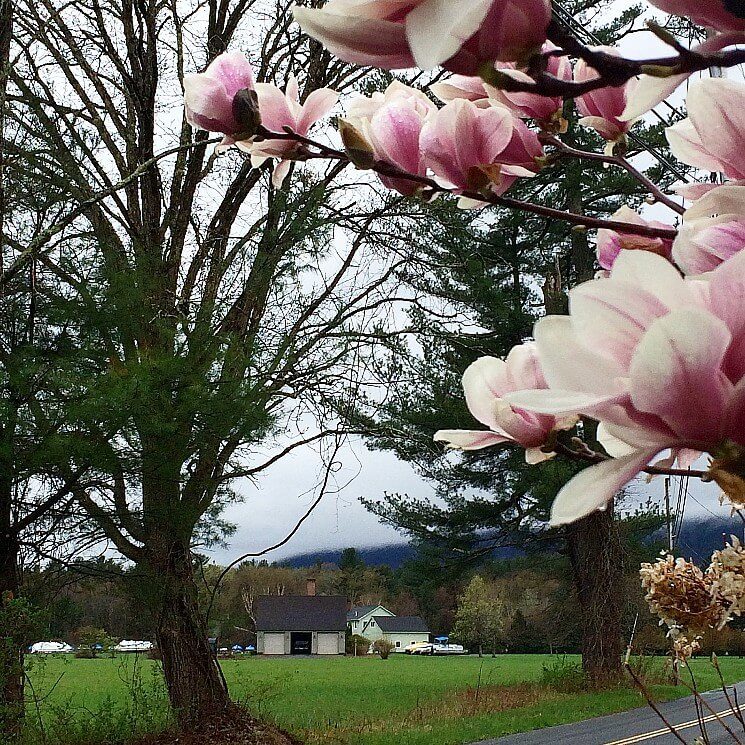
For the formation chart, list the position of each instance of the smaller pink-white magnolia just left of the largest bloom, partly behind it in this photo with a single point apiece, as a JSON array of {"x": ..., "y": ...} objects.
[{"x": 485, "y": 383}]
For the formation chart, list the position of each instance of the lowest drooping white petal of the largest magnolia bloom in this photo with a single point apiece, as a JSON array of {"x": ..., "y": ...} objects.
[{"x": 592, "y": 489}]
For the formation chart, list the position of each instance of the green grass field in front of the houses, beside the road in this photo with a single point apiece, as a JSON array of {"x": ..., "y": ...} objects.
[{"x": 406, "y": 700}]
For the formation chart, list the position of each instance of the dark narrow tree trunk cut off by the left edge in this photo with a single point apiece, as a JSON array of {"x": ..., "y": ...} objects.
[{"x": 11, "y": 646}]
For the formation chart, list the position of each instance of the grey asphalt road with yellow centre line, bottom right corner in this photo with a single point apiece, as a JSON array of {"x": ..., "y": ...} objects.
[{"x": 640, "y": 726}]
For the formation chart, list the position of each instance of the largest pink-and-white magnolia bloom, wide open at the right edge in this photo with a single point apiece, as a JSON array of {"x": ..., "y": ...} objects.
[{"x": 658, "y": 359}]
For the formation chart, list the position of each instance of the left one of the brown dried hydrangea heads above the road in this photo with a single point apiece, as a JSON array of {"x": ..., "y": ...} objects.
[{"x": 679, "y": 593}]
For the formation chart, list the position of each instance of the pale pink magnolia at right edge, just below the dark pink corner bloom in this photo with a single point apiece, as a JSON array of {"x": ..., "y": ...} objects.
[{"x": 713, "y": 136}]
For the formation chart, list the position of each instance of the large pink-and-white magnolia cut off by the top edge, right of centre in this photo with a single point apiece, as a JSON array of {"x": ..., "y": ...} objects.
[{"x": 405, "y": 33}]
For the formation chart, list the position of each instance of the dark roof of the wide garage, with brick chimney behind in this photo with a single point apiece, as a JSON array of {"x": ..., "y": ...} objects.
[{"x": 300, "y": 613}]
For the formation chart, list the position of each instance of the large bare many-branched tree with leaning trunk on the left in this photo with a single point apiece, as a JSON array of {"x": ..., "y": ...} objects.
[{"x": 225, "y": 310}]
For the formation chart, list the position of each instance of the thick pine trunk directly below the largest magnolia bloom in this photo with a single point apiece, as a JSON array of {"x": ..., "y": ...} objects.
[{"x": 597, "y": 564}]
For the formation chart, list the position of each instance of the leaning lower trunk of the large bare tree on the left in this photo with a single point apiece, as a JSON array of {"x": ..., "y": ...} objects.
[{"x": 196, "y": 687}]
